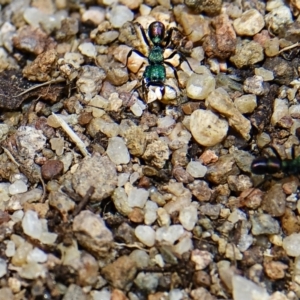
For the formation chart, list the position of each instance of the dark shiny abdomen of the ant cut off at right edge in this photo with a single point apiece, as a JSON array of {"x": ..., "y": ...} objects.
[{"x": 266, "y": 165}]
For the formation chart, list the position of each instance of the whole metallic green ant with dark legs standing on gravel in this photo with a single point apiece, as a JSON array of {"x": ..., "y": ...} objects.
[{"x": 155, "y": 72}]
